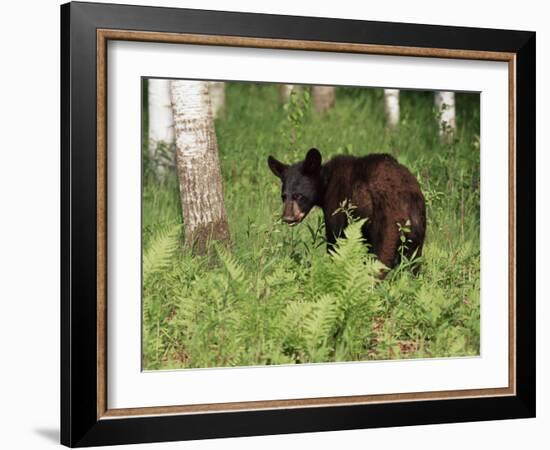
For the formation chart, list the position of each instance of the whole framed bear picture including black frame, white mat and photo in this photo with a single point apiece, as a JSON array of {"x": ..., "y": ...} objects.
[{"x": 276, "y": 224}]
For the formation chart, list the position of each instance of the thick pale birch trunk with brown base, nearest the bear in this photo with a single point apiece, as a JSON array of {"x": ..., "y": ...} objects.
[{"x": 198, "y": 165}]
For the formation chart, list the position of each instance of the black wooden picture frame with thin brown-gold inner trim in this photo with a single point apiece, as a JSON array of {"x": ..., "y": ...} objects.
[{"x": 86, "y": 418}]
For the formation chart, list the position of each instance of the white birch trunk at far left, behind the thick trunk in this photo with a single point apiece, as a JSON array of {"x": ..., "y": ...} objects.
[{"x": 161, "y": 127}]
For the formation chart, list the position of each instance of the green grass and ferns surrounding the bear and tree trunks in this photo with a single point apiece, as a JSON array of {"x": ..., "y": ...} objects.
[{"x": 275, "y": 296}]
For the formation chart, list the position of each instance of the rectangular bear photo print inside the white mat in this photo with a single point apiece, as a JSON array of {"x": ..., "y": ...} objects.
[{"x": 298, "y": 224}]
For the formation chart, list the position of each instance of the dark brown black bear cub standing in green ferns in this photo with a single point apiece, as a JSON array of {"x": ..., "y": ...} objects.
[{"x": 380, "y": 188}]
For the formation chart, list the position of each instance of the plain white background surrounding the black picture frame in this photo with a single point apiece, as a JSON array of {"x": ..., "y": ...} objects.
[{"x": 29, "y": 229}]
